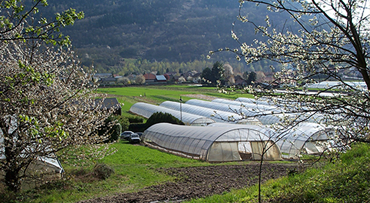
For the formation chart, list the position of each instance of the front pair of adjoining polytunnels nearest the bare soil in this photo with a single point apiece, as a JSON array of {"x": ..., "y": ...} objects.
[{"x": 221, "y": 142}]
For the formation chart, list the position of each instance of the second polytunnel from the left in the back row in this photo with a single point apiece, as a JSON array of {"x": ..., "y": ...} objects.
[{"x": 216, "y": 115}]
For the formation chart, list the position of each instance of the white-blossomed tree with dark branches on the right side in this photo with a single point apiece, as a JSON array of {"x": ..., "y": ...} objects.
[{"x": 333, "y": 40}]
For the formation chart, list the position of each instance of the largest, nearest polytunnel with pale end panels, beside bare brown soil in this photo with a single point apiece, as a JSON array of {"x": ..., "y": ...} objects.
[{"x": 213, "y": 144}]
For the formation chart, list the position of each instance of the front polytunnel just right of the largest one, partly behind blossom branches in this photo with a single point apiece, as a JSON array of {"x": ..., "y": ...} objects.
[{"x": 306, "y": 138}]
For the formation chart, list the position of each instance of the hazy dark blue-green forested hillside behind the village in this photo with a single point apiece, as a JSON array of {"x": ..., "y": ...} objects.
[{"x": 156, "y": 30}]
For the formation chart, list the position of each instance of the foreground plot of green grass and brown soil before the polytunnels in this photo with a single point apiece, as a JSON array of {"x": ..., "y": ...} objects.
[{"x": 143, "y": 174}]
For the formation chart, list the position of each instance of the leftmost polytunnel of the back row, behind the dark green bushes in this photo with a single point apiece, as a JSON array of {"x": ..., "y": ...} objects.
[{"x": 146, "y": 110}]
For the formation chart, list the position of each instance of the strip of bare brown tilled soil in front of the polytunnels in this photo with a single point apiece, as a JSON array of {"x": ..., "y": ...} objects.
[{"x": 196, "y": 182}]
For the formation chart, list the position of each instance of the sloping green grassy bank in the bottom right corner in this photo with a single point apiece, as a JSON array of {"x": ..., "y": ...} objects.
[{"x": 344, "y": 180}]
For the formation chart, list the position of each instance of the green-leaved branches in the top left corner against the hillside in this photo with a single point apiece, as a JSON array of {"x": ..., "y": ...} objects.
[{"x": 16, "y": 17}]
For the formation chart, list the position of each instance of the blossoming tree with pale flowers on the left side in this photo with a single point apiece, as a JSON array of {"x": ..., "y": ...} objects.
[{"x": 47, "y": 100}]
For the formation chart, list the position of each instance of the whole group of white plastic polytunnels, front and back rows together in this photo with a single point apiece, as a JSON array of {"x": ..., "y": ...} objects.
[{"x": 225, "y": 130}]
